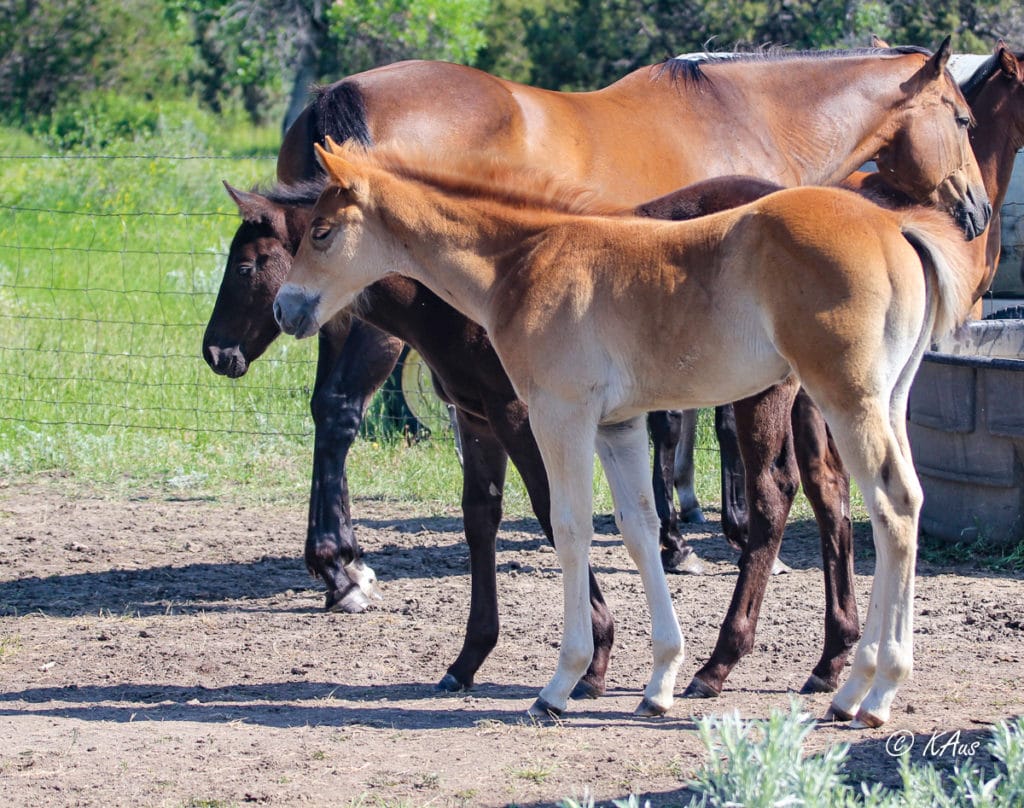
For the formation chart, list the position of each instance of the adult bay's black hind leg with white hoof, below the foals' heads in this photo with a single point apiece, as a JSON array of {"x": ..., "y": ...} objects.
[{"x": 354, "y": 361}]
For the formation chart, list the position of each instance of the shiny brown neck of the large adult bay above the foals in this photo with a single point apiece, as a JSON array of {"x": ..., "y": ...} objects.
[{"x": 832, "y": 116}]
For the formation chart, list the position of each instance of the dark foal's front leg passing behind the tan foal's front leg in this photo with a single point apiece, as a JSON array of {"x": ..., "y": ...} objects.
[{"x": 509, "y": 419}]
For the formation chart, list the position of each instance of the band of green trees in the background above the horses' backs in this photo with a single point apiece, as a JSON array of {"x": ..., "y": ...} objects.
[{"x": 263, "y": 56}]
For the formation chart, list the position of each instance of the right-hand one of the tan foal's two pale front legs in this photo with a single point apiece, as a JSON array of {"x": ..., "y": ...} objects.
[{"x": 623, "y": 451}]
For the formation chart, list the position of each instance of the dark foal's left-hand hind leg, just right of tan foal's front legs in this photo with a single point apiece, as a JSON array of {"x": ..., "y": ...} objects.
[{"x": 766, "y": 446}]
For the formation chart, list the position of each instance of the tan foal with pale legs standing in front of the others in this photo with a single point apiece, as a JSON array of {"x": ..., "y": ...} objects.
[{"x": 818, "y": 284}]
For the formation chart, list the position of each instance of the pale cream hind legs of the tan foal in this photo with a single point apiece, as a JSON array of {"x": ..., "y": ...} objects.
[{"x": 892, "y": 494}]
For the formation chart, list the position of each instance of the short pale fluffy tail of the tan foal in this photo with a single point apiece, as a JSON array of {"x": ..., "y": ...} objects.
[{"x": 949, "y": 265}]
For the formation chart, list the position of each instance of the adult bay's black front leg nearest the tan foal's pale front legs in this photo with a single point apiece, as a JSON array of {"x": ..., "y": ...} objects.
[{"x": 665, "y": 428}]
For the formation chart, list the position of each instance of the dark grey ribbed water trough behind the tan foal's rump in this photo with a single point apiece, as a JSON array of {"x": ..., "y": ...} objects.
[{"x": 967, "y": 434}]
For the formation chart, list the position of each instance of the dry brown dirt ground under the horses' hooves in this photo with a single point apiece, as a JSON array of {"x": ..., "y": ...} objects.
[{"x": 166, "y": 653}]
